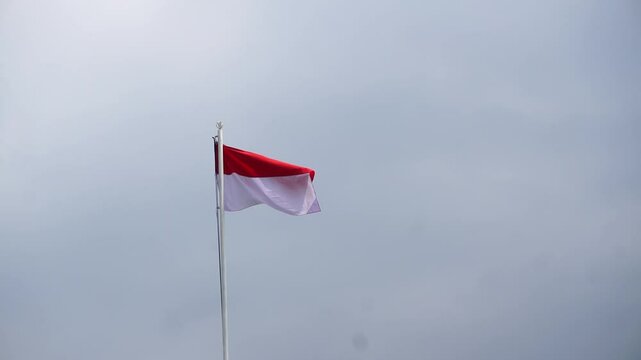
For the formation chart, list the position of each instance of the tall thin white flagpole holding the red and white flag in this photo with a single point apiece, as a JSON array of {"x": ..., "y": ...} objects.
[{"x": 220, "y": 215}]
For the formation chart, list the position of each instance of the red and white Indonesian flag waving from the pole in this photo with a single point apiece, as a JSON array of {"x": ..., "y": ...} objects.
[{"x": 252, "y": 179}]
